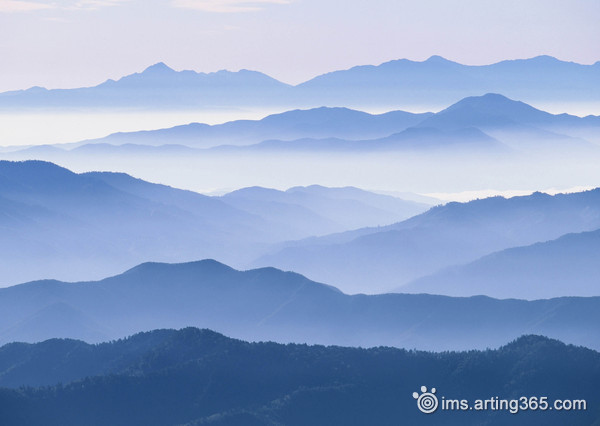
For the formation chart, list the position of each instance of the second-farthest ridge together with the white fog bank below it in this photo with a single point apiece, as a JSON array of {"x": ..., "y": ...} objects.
[{"x": 505, "y": 143}]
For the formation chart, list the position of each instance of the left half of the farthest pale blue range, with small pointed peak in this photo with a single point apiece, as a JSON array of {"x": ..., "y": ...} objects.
[{"x": 158, "y": 87}]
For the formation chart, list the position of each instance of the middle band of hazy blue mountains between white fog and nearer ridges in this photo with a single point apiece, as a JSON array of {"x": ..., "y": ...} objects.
[{"x": 88, "y": 226}]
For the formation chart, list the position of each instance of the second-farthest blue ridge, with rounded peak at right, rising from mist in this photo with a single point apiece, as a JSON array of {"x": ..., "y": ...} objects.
[{"x": 490, "y": 124}]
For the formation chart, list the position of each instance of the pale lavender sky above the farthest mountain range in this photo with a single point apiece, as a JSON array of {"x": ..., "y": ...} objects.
[{"x": 73, "y": 43}]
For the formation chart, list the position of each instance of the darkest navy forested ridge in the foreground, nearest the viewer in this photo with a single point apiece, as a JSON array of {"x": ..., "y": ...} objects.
[{"x": 196, "y": 377}]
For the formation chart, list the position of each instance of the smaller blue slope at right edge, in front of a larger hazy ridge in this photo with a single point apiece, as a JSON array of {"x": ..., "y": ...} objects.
[{"x": 547, "y": 269}]
